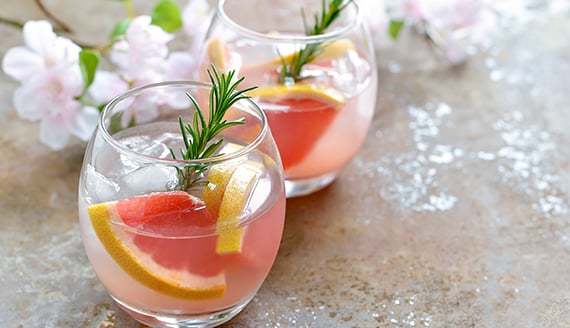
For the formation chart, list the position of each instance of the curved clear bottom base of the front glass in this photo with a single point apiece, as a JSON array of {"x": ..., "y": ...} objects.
[{"x": 158, "y": 319}]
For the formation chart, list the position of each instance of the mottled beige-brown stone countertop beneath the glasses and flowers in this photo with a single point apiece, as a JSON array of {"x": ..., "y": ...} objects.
[{"x": 455, "y": 213}]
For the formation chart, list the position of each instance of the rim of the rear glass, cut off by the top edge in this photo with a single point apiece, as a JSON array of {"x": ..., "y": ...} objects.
[{"x": 289, "y": 38}]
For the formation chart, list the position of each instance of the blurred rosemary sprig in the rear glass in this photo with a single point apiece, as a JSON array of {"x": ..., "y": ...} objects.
[{"x": 291, "y": 71}]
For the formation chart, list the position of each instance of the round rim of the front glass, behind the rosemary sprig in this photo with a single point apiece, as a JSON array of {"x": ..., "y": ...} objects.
[{"x": 101, "y": 126}]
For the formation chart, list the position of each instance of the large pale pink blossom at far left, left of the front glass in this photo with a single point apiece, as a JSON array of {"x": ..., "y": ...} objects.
[{"x": 51, "y": 83}]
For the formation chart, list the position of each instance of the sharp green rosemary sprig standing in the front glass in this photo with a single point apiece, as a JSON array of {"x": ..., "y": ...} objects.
[{"x": 199, "y": 135}]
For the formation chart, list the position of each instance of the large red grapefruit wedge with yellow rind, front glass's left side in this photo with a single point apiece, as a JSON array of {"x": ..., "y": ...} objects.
[{"x": 158, "y": 254}]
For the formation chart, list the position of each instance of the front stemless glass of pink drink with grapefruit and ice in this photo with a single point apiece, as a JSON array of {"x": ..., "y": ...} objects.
[{"x": 172, "y": 257}]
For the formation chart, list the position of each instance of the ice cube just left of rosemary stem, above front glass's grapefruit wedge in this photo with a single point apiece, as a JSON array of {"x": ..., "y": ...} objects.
[{"x": 149, "y": 178}]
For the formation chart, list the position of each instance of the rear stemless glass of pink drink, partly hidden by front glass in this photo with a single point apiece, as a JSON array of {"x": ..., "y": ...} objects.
[{"x": 319, "y": 120}]
